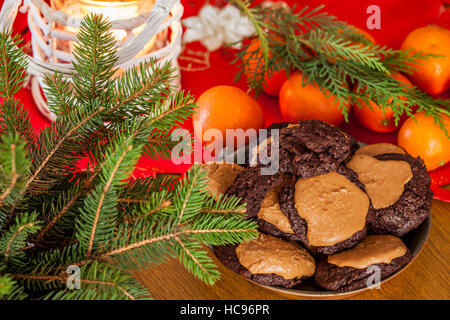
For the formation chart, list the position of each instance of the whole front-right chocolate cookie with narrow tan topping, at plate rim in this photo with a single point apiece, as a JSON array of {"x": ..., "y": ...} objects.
[{"x": 354, "y": 268}]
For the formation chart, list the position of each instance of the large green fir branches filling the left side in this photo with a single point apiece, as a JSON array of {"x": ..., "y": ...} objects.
[{"x": 56, "y": 217}]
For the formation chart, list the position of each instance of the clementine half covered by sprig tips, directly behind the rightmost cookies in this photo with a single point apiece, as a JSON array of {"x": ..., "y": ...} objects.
[{"x": 372, "y": 117}]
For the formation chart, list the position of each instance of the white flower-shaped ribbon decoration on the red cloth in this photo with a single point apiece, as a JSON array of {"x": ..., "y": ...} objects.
[{"x": 214, "y": 27}]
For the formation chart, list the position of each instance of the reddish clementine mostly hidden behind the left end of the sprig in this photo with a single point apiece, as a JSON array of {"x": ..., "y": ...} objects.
[{"x": 273, "y": 83}]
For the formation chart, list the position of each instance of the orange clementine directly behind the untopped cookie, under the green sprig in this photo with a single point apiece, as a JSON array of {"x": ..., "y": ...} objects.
[{"x": 298, "y": 102}]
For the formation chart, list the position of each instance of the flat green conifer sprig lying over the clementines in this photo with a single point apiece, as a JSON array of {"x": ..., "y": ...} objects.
[{"x": 332, "y": 54}]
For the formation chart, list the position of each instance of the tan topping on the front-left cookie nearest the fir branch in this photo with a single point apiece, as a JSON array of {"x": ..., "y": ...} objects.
[{"x": 268, "y": 254}]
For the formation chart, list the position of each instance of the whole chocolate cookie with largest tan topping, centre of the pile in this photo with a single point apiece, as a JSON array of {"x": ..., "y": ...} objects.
[{"x": 328, "y": 212}]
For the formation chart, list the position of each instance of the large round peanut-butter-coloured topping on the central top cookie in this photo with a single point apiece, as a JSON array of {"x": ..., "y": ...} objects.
[{"x": 333, "y": 207}]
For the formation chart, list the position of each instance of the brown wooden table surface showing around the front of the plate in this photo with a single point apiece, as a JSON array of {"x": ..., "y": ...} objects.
[{"x": 427, "y": 278}]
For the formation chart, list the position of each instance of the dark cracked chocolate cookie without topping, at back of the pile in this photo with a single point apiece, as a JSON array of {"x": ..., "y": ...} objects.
[{"x": 313, "y": 148}]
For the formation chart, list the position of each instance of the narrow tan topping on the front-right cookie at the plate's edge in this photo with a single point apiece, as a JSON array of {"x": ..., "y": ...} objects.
[{"x": 371, "y": 250}]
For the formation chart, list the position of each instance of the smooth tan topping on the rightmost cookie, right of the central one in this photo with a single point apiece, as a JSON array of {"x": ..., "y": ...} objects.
[{"x": 384, "y": 180}]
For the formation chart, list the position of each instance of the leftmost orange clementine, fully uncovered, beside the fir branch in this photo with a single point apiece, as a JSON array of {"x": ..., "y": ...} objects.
[{"x": 226, "y": 107}]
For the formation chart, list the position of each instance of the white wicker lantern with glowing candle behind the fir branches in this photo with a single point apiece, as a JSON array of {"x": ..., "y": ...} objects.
[{"x": 142, "y": 28}]
